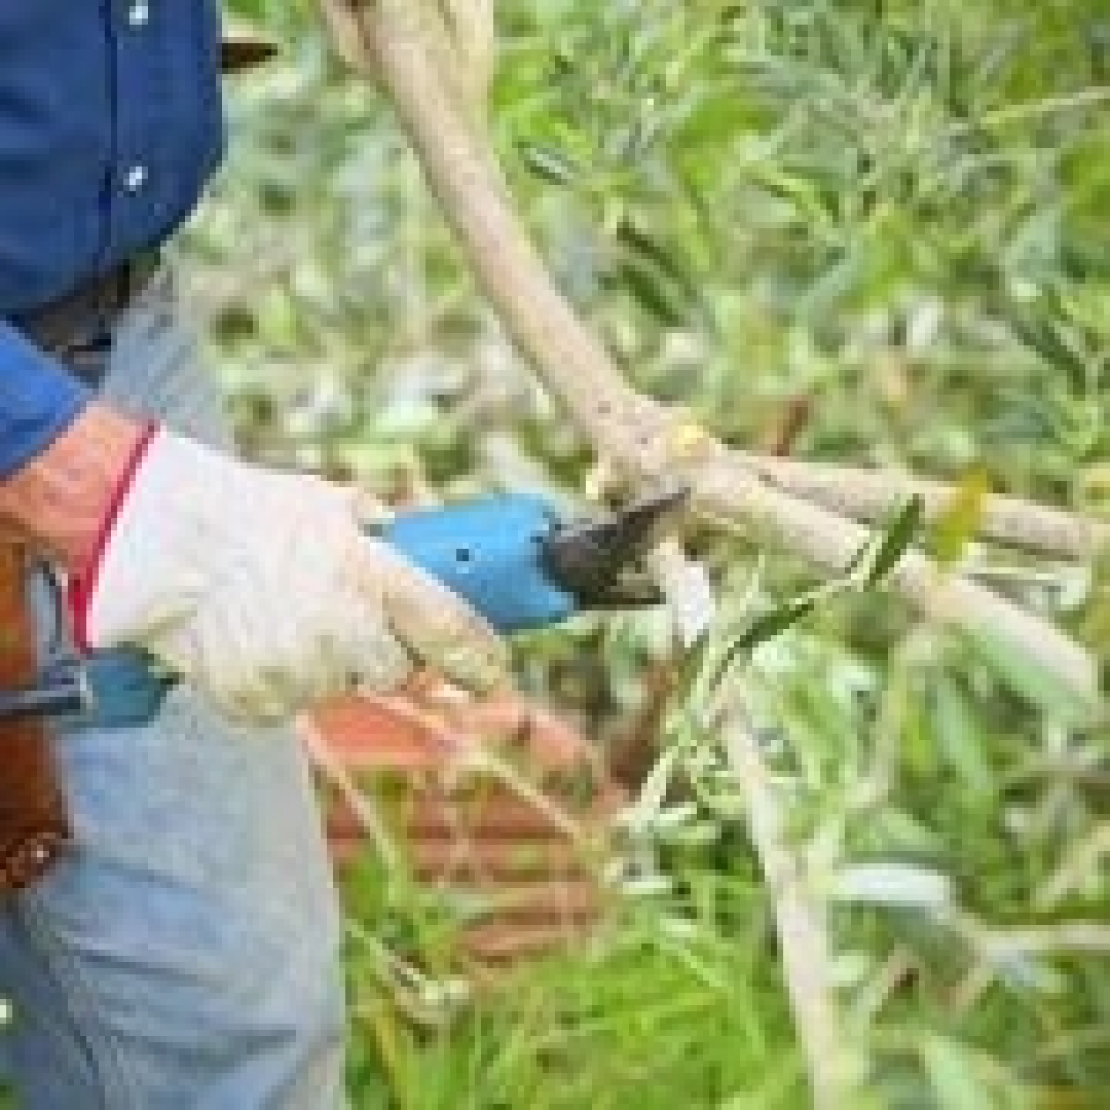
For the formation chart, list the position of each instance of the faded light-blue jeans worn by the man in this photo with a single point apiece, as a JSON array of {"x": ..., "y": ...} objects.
[{"x": 185, "y": 954}]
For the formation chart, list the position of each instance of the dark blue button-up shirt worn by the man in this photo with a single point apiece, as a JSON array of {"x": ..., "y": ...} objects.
[{"x": 110, "y": 125}]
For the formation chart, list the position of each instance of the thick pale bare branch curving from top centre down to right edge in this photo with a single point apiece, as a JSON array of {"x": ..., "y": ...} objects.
[{"x": 641, "y": 440}]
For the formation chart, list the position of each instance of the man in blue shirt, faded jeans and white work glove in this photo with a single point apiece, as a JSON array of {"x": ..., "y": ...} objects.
[{"x": 184, "y": 952}]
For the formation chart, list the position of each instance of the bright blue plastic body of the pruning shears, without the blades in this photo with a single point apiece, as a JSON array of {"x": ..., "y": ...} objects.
[{"x": 488, "y": 551}]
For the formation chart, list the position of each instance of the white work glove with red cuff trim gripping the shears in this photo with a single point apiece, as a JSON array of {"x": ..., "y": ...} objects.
[{"x": 259, "y": 588}]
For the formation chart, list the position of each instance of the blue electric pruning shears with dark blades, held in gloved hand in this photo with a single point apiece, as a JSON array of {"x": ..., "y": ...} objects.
[{"x": 513, "y": 558}]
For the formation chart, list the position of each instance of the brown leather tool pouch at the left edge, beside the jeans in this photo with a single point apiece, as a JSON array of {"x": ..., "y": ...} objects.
[{"x": 35, "y": 826}]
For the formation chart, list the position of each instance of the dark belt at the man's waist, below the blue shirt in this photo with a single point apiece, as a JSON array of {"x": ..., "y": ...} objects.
[{"x": 77, "y": 327}]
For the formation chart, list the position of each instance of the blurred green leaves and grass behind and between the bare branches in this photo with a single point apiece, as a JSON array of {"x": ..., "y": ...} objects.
[{"x": 891, "y": 217}]
